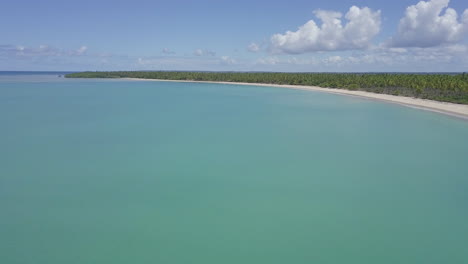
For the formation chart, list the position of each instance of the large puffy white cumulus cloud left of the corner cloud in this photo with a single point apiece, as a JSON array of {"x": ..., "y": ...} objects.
[{"x": 361, "y": 27}]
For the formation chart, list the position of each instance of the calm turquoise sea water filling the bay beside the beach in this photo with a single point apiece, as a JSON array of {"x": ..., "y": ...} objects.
[{"x": 112, "y": 171}]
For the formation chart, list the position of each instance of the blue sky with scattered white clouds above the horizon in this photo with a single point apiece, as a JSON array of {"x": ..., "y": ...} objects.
[{"x": 209, "y": 35}]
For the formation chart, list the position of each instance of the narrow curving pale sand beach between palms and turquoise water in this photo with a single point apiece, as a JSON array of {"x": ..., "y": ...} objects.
[{"x": 451, "y": 109}]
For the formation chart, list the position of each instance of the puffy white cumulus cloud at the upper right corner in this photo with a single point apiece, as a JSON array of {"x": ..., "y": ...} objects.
[{"x": 429, "y": 24}]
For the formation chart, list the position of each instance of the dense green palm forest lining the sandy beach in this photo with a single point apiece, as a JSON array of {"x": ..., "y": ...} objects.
[{"x": 441, "y": 87}]
